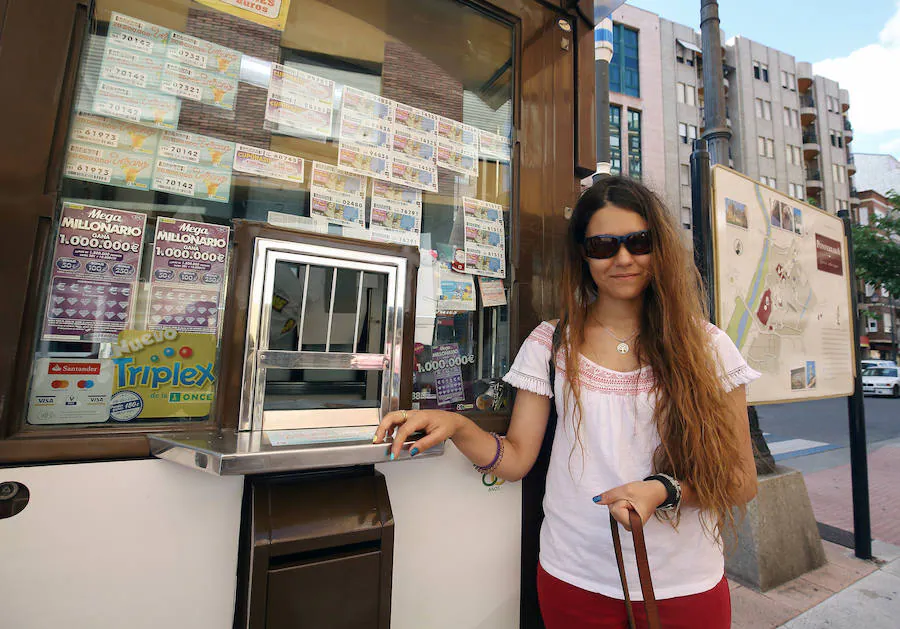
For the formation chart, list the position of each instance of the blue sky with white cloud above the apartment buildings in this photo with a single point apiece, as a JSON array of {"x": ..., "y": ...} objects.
[{"x": 856, "y": 44}]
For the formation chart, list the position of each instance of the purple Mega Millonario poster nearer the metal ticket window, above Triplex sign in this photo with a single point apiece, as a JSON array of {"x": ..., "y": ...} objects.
[{"x": 188, "y": 276}]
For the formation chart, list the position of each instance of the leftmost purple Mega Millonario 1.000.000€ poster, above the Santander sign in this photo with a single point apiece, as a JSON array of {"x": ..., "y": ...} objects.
[{"x": 96, "y": 262}]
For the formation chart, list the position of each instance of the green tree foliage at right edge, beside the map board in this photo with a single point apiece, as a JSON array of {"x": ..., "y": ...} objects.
[{"x": 877, "y": 249}]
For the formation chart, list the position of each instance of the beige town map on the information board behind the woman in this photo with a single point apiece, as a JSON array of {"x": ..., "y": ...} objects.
[{"x": 782, "y": 290}]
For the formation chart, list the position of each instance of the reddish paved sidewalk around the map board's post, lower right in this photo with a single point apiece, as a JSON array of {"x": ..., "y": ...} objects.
[{"x": 846, "y": 593}]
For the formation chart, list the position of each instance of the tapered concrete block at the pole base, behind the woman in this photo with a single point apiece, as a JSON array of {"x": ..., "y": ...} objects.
[{"x": 778, "y": 539}]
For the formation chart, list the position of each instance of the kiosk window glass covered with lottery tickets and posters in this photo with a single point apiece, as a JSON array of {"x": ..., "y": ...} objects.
[{"x": 348, "y": 117}]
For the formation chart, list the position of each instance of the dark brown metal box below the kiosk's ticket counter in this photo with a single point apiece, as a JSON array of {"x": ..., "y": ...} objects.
[{"x": 316, "y": 551}]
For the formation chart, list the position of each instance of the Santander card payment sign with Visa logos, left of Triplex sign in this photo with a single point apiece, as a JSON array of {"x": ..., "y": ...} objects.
[{"x": 70, "y": 391}]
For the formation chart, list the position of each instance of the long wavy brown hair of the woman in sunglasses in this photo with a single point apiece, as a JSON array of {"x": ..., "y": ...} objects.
[{"x": 697, "y": 443}]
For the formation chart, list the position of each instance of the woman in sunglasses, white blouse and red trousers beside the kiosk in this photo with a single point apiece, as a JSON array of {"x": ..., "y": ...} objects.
[{"x": 652, "y": 419}]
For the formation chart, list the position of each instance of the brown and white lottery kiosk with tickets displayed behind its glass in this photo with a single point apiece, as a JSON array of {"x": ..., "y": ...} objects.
[{"x": 235, "y": 235}]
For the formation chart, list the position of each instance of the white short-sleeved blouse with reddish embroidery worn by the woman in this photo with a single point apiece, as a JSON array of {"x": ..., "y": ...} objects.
[{"x": 617, "y": 442}]
